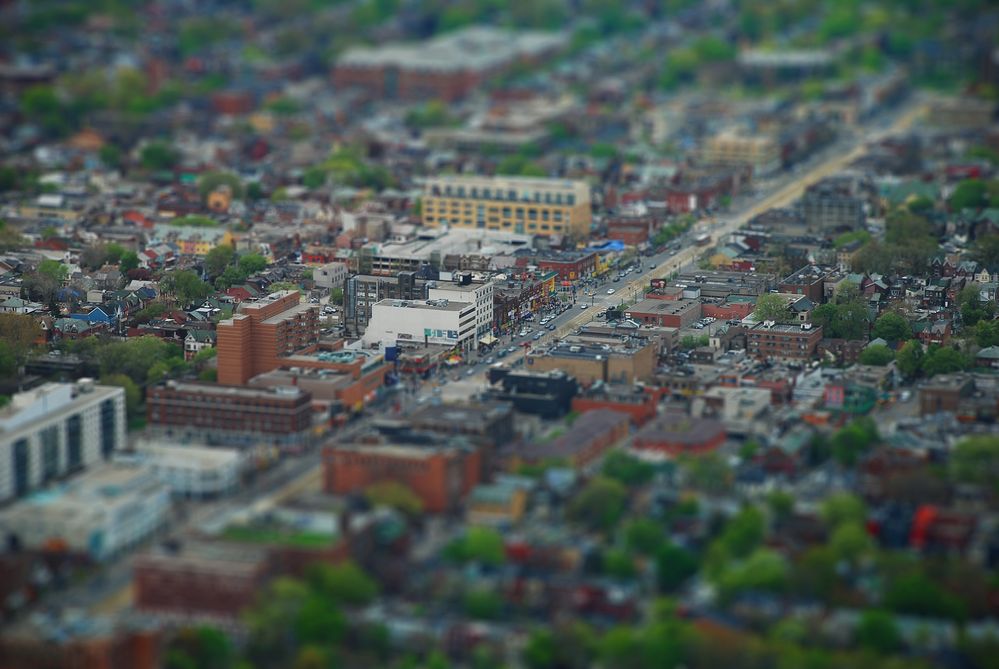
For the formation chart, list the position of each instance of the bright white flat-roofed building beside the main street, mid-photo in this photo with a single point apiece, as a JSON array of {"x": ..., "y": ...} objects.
[{"x": 441, "y": 322}]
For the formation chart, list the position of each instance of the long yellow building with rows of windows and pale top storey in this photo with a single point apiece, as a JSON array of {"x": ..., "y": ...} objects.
[{"x": 509, "y": 204}]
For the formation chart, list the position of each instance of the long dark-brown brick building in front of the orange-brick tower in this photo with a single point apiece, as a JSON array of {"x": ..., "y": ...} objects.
[{"x": 230, "y": 413}]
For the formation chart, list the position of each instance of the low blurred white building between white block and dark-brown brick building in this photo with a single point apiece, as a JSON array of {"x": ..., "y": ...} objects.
[{"x": 189, "y": 470}]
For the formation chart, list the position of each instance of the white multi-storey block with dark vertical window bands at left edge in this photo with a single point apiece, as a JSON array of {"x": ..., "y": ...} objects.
[{"x": 55, "y": 430}]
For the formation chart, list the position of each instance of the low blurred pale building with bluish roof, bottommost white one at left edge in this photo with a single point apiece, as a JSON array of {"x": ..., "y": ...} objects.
[{"x": 100, "y": 513}]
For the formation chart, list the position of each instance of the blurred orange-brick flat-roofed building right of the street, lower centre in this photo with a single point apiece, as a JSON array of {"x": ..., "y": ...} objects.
[{"x": 440, "y": 475}]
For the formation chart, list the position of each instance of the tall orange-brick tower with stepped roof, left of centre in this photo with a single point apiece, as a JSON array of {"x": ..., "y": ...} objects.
[{"x": 254, "y": 340}]
